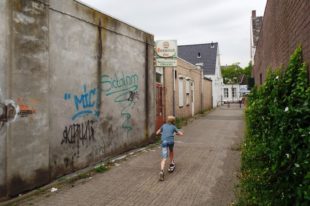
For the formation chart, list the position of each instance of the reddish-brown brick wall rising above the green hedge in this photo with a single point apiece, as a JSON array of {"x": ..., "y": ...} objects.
[{"x": 286, "y": 24}]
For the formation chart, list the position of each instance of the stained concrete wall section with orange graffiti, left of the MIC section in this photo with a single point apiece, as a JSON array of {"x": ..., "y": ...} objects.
[{"x": 27, "y": 143}]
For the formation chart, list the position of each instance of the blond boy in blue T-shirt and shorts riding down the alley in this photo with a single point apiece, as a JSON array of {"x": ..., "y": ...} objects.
[{"x": 167, "y": 130}]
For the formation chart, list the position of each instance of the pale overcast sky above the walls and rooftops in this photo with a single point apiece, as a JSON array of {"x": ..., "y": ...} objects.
[{"x": 191, "y": 21}]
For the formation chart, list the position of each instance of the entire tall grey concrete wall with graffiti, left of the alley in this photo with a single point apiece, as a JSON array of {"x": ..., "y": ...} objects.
[{"x": 81, "y": 85}]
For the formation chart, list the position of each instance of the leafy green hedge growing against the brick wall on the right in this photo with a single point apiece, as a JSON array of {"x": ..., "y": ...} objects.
[{"x": 276, "y": 151}]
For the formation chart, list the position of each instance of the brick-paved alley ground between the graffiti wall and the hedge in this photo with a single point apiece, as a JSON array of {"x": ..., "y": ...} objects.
[{"x": 207, "y": 163}]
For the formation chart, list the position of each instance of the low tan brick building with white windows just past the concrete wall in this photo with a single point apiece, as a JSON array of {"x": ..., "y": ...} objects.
[{"x": 186, "y": 91}]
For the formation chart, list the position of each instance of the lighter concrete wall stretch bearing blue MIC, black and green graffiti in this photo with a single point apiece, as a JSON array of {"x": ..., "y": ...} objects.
[{"x": 80, "y": 52}]
